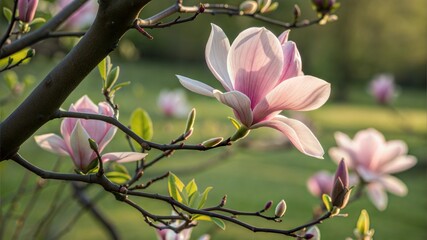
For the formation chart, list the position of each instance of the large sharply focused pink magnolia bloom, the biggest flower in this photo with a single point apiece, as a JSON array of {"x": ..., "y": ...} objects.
[{"x": 262, "y": 76}]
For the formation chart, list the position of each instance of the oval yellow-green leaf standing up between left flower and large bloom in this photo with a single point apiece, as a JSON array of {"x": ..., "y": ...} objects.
[{"x": 141, "y": 124}]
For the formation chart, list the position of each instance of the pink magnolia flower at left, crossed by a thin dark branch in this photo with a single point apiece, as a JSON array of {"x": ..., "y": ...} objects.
[{"x": 76, "y": 132}]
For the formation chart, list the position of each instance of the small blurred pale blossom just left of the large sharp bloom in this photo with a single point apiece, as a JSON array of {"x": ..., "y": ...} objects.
[{"x": 173, "y": 103}]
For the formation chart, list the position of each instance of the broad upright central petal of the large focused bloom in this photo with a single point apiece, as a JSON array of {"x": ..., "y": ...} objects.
[{"x": 255, "y": 62}]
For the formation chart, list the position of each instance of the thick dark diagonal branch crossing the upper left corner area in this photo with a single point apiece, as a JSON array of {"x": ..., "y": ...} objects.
[{"x": 113, "y": 19}]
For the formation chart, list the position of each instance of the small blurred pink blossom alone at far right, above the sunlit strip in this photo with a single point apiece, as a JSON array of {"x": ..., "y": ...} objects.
[{"x": 382, "y": 88}]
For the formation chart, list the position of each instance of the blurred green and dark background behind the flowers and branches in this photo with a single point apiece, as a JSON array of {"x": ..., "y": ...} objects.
[{"x": 371, "y": 37}]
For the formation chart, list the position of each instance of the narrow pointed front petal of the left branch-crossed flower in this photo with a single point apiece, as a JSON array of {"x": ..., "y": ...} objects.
[{"x": 82, "y": 154}]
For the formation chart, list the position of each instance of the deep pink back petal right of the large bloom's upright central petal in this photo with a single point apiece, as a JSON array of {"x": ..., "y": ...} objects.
[{"x": 292, "y": 61}]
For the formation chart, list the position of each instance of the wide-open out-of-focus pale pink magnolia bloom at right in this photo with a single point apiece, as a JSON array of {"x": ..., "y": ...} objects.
[{"x": 374, "y": 159}]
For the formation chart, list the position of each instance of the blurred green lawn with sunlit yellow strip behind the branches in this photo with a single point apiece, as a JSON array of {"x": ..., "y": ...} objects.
[{"x": 255, "y": 172}]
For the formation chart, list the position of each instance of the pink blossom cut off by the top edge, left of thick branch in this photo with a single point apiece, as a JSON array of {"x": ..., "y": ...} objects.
[{"x": 83, "y": 17}]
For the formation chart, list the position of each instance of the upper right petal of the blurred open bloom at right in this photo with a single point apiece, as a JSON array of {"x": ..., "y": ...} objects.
[{"x": 387, "y": 153}]
